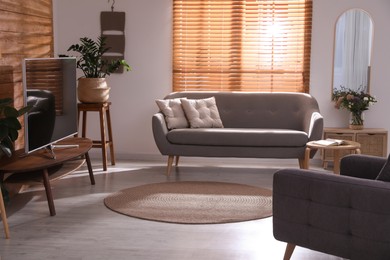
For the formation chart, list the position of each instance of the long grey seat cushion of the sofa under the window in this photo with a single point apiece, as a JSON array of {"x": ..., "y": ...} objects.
[{"x": 238, "y": 137}]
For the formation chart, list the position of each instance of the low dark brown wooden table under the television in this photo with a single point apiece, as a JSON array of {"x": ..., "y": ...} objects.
[{"x": 41, "y": 161}]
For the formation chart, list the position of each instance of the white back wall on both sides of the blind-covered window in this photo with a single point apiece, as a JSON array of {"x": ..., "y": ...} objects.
[{"x": 148, "y": 50}]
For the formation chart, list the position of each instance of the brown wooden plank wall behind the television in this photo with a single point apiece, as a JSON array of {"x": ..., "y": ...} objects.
[{"x": 26, "y": 31}]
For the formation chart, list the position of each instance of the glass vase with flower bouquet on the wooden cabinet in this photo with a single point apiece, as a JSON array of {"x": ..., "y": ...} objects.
[{"x": 355, "y": 101}]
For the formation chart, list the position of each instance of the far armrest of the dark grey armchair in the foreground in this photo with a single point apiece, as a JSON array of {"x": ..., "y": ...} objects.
[{"x": 361, "y": 166}]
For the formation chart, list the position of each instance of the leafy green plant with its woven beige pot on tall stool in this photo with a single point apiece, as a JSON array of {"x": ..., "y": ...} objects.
[{"x": 92, "y": 88}]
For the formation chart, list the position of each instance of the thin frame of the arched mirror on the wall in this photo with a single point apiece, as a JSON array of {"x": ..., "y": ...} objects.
[{"x": 370, "y": 51}]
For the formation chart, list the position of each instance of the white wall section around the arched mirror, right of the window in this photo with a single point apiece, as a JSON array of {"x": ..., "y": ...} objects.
[{"x": 326, "y": 12}]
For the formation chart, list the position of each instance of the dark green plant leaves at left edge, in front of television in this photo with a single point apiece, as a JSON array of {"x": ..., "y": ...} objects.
[{"x": 9, "y": 125}]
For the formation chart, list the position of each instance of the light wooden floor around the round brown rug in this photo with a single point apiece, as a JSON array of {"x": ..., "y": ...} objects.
[{"x": 85, "y": 229}]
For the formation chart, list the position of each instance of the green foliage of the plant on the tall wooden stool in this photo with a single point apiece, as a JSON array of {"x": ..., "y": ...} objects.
[{"x": 92, "y": 62}]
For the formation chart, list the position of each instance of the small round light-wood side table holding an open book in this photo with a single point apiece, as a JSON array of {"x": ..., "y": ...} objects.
[{"x": 348, "y": 145}]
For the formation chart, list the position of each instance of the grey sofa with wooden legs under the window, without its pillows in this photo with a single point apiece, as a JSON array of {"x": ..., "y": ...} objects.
[{"x": 256, "y": 125}]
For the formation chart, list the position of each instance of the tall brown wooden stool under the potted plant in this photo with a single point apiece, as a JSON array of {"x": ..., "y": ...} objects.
[{"x": 105, "y": 120}]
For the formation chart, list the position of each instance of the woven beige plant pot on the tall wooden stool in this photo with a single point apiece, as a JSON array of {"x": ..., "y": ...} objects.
[{"x": 93, "y": 90}]
